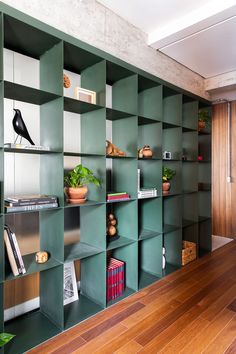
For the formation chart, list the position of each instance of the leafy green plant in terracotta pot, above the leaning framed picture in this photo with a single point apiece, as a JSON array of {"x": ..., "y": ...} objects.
[{"x": 76, "y": 182}]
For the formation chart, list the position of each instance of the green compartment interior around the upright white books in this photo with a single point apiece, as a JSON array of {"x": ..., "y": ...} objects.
[{"x": 151, "y": 174}]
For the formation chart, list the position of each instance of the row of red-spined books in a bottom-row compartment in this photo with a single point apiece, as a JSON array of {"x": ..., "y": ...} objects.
[{"x": 115, "y": 278}]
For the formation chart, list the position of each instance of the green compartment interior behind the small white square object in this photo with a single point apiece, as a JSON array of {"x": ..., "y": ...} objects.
[{"x": 172, "y": 142}]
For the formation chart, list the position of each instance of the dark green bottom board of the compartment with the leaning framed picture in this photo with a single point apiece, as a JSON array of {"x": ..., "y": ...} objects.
[{"x": 80, "y": 310}]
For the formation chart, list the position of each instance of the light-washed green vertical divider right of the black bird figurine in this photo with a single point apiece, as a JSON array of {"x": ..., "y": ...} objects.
[{"x": 51, "y": 124}]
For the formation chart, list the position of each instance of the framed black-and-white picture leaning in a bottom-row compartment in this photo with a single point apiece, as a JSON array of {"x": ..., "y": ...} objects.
[{"x": 70, "y": 285}]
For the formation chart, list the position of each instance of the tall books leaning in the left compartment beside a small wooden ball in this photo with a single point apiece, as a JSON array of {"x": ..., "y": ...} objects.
[{"x": 13, "y": 252}]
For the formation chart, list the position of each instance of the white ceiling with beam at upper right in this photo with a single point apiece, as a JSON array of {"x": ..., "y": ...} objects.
[{"x": 198, "y": 34}]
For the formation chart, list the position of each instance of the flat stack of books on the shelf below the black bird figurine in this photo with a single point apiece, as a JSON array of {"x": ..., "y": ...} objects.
[{"x": 30, "y": 202}]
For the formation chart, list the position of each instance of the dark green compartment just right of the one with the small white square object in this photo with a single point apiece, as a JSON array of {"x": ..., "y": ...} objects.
[{"x": 190, "y": 145}]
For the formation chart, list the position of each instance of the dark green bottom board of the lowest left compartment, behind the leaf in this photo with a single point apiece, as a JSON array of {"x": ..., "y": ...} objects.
[{"x": 30, "y": 330}]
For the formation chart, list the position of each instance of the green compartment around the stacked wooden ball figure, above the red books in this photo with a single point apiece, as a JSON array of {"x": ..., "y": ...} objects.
[{"x": 127, "y": 223}]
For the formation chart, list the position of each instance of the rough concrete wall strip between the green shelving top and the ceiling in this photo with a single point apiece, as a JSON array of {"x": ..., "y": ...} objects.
[{"x": 93, "y": 23}]
